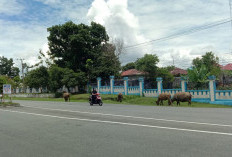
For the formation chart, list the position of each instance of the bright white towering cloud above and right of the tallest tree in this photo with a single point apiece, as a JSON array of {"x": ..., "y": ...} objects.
[{"x": 120, "y": 23}]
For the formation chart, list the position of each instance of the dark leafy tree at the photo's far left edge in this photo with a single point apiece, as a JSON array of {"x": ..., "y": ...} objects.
[{"x": 7, "y": 67}]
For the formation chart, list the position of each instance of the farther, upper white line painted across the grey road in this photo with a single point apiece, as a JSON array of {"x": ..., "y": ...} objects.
[{"x": 124, "y": 116}]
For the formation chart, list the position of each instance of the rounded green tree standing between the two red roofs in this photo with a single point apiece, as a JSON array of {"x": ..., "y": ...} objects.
[{"x": 148, "y": 64}]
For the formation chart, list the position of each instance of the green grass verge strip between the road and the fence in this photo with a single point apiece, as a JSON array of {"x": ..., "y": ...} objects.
[{"x": 128, "y": 100}]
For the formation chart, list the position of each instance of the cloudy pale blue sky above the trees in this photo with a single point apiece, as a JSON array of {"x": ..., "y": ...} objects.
[{"x": 24, "y": 23}]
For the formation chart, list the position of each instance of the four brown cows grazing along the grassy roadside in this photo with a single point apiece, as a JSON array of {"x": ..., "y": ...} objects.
[{"x": 178, "y": 97}]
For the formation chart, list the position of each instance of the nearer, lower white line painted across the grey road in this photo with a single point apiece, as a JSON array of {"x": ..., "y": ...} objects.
[{"x": 121, "y": 123}]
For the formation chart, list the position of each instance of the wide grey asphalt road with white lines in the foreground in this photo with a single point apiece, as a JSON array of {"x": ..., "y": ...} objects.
[{"x": 47, "y": 129}]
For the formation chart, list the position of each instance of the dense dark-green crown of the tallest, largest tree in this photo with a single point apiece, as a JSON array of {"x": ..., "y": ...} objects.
[{"x": 83, "y": 49}]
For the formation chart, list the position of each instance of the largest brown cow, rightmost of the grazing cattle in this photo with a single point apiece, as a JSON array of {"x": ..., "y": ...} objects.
[{"x": 182, "y": 97}]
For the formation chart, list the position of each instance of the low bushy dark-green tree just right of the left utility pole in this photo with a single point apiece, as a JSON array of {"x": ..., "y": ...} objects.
[{"x": 37, "y": 78}]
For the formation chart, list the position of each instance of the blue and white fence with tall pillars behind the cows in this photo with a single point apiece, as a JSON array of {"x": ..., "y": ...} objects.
[{"x": 208, "y": 92}]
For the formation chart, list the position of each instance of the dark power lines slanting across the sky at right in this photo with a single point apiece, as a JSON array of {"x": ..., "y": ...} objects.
[{"x": 204, "y": 27}]
